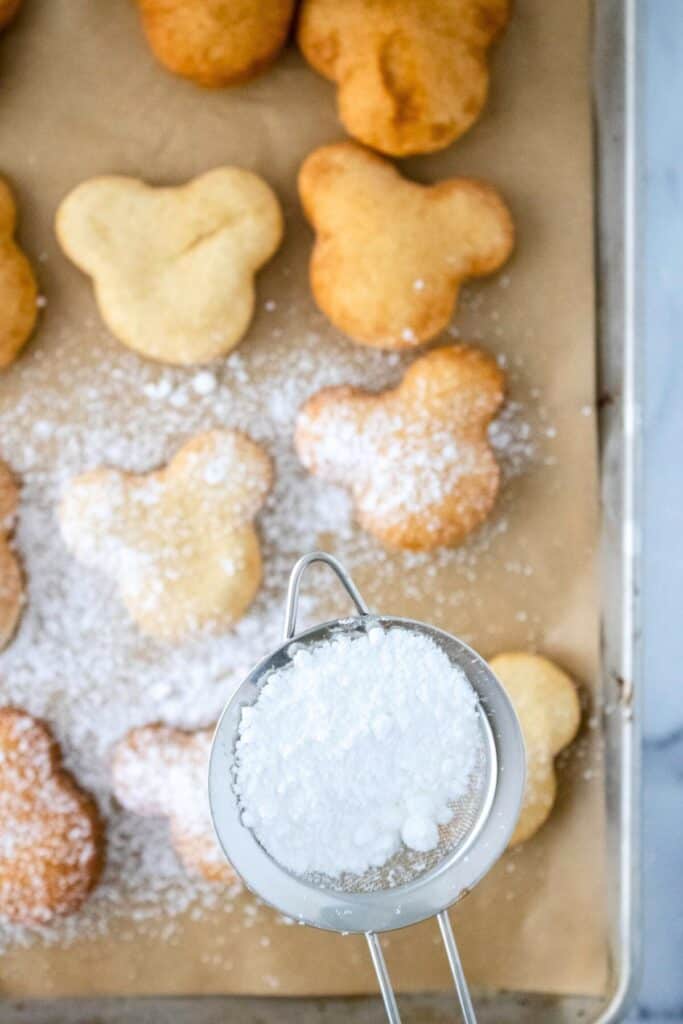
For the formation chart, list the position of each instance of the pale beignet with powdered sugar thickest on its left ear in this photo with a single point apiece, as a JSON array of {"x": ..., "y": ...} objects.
[{"x": 181, "y": 541}]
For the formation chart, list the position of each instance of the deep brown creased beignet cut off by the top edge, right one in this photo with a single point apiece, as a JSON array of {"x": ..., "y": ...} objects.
[{"x": 412, "y": 75}]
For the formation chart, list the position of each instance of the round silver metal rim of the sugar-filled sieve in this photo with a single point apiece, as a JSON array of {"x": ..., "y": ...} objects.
[{"x": 390, "y": 909}]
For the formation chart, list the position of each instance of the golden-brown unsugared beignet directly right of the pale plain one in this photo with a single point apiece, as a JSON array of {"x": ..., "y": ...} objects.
[{"x": 391, "y": 255}]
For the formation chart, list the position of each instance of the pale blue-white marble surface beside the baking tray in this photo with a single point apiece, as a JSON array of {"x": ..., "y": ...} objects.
[{"x": 661, "y": 201}]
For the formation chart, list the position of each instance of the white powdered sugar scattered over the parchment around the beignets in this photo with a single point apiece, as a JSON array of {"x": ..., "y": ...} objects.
[{"x": 78, "y": 660}]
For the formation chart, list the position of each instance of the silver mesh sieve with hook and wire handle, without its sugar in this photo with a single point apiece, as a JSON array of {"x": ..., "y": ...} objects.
[{"x": 411, "y": 887}]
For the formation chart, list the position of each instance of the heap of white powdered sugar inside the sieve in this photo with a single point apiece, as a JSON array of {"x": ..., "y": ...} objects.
[{"x": 354, "y": 747}]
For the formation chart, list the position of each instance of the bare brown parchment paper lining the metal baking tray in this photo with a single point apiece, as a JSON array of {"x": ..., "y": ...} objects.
[{"x": 81, "y": 96}]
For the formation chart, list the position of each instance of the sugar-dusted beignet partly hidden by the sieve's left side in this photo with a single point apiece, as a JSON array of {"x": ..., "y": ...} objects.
[{"x": 159, "y": 772}]
